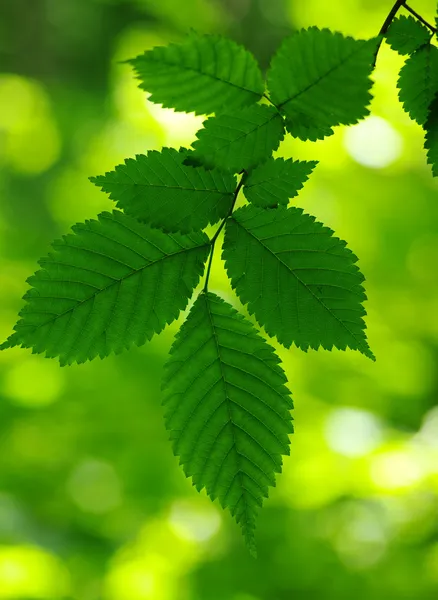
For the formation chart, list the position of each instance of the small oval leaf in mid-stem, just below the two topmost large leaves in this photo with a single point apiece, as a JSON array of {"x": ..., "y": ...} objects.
[{"x": 240, "y": 140}]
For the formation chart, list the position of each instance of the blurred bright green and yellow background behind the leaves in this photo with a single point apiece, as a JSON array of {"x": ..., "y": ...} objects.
[{"x": 93, "y": 505}]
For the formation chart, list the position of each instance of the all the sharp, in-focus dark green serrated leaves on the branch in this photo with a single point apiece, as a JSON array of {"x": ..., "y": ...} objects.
[{"x": 118, "y": 280}]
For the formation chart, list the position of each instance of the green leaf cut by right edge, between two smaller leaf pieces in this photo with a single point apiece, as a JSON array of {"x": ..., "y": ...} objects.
[{"x": 418, "y": 82}]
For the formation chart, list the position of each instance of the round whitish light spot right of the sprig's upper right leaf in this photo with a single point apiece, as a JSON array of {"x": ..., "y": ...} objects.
[{"x": 373, "y": 143}]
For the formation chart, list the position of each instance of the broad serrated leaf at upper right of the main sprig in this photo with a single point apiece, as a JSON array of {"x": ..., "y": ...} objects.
[{"x": 320, "y": 79}]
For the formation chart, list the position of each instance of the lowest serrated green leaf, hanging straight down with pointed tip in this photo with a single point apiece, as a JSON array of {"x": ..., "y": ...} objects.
[{"x": 227, "y": 408}]
